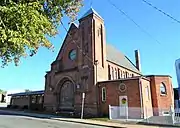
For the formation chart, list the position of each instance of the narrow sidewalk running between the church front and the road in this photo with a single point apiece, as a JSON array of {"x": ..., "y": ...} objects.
[{"x": 84, "y": 121}]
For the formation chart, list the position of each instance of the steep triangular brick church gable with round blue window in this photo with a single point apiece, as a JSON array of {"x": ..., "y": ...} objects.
[{"x": 67, "y": 56}]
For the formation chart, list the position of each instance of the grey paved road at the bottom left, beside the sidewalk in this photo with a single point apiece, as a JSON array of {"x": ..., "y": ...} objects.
[{"x": 15, "y": 121}]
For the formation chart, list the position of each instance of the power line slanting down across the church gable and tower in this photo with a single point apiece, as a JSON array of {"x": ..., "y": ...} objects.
[{"x": 80, "y": 49}]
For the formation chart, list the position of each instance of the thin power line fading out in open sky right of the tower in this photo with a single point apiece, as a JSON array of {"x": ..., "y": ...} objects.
[{"x": 137, "y": 25}]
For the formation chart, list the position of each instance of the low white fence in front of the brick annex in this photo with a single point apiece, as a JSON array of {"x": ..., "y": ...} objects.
[{"x": 146, "y": 114}]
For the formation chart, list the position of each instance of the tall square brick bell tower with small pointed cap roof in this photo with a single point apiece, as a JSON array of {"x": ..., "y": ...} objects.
[{"x": 93, "y": 41}]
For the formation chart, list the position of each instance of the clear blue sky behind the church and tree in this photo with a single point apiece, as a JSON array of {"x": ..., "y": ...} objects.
[{"x": 156, "y": 58}]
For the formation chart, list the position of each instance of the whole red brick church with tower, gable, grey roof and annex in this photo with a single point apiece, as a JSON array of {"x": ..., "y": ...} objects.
[{"x": 87, "y": 64}]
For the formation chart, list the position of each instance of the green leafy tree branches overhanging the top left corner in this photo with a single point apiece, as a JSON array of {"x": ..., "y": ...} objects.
[{"x": 26, "y": 24}]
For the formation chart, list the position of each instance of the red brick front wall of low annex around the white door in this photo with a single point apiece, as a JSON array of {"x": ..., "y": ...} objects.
[{"x": 113, "y": 93}]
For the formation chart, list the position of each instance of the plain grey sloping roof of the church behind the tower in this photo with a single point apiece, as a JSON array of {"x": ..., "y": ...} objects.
[{"x": 115, "y": 56}]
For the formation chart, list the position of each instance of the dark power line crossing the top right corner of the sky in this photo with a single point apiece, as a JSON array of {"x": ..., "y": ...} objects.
[{"x": 161, "y": 11}]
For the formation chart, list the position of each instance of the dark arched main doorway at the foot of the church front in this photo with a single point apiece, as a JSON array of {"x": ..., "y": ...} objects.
[{"x": 66, "y": 97}]
